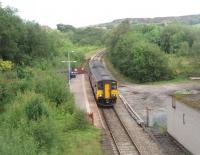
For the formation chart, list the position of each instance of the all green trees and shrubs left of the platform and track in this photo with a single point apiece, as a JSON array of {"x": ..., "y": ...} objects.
[{"x": 37, "y": 111}]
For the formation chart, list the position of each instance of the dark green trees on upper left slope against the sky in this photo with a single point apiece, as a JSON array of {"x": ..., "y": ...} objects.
[{"x": 21, "y": 41}]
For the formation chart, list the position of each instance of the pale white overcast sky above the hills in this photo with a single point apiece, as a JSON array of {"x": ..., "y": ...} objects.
[{"x": 89, "y": 12}]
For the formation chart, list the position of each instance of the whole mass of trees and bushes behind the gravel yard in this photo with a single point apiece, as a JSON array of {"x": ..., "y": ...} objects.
[{"x": 147, "y": 53}]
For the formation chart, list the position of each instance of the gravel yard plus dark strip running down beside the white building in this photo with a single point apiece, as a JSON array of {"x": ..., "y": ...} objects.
[{"x": 156, "y": 98}]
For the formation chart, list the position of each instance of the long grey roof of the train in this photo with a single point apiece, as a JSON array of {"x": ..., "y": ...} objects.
[{"x": 99, "y": 71}]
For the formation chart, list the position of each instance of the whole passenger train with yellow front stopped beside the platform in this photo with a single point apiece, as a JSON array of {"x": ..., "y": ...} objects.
[{"x": 104, "y": 86}]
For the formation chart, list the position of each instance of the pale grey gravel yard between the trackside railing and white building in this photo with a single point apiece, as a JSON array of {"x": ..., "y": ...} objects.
[{"x": 153, "y": 99}]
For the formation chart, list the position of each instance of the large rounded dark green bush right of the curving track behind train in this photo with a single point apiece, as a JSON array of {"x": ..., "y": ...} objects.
[{"x": 139, "y": 60}]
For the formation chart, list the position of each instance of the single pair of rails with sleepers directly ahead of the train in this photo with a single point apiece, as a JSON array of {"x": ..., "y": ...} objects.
[{"x": 123, "y": 142}]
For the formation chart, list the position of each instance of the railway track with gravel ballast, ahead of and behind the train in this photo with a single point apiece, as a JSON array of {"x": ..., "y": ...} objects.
[{"x": 126, "y": 128}]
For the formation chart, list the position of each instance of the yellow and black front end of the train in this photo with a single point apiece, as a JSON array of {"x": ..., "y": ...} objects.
[{"x": 106, "y": 93}]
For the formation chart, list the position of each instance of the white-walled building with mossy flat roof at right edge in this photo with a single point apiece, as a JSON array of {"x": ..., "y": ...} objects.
[{"x": 183, "y": 121}]
